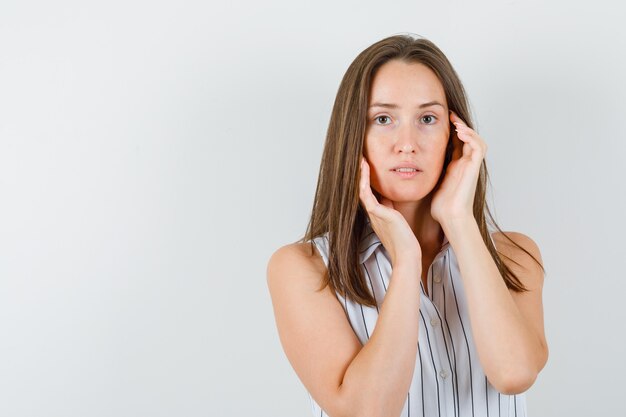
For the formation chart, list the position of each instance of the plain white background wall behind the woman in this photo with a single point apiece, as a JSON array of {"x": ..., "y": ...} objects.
[{"x": 154, "y": 154}]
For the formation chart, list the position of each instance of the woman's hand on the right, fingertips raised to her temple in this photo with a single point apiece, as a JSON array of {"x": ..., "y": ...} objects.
[{"x": 454, "y": 199}]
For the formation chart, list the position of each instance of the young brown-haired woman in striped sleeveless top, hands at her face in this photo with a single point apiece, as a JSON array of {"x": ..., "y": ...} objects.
[{"x": 400, "y": 300}]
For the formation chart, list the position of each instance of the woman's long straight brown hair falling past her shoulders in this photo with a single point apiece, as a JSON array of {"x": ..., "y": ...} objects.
[{"x": 336, "y": 208}]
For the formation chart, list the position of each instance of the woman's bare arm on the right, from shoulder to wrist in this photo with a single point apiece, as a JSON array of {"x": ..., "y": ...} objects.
[{"x": 507, "y": 326}]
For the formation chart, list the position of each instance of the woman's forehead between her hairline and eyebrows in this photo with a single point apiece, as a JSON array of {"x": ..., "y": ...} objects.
[{"x": 405, "y": 83}]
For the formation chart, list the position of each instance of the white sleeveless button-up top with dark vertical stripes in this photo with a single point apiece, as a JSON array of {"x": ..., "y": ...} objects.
[{"x": 448, "y": 380}]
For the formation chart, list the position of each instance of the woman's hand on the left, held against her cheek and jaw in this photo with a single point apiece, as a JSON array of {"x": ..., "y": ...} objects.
[{"x": 389, "y": 225}]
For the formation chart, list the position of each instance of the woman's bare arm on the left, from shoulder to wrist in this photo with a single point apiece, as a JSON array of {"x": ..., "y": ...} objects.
[{"x": 345, "y": 378}]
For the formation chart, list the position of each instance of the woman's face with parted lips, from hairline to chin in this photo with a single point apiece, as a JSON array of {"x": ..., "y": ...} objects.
[{"x": 408, "y": 125}]
